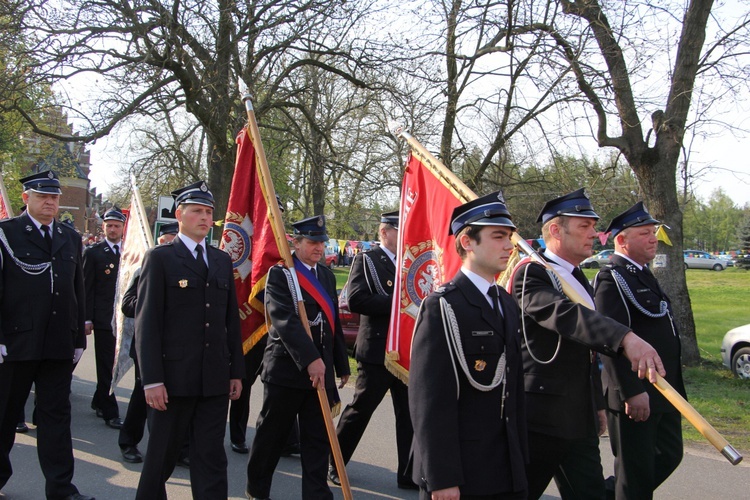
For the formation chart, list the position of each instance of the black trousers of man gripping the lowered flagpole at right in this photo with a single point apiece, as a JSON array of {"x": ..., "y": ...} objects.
[{"x": 575, "y": 465}]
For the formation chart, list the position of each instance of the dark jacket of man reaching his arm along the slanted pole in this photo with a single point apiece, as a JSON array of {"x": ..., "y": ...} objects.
[{"x": 562, "y": 396}]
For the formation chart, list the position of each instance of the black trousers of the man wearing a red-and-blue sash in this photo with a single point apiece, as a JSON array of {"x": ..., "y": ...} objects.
[{"x": 281, "y": 406}]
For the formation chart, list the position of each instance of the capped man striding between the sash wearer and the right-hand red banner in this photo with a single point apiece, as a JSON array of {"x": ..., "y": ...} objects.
[{"x": 370, "y": 293}]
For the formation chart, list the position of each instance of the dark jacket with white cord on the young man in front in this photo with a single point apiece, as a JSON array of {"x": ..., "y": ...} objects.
[{"x": 460, "y": 438}]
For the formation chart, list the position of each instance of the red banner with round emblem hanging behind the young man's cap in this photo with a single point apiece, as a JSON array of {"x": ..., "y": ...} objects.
[{"x": 426, "y": 257}]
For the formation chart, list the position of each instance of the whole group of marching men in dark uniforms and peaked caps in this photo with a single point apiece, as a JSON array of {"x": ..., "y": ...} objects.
[{"x": 508, "y": 390}]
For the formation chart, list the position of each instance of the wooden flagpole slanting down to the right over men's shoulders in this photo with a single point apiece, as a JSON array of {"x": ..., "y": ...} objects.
[{"x": 452, "y": 182}]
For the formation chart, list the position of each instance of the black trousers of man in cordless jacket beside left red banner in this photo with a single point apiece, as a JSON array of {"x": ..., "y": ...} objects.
[{"x": 204, "y": 418}]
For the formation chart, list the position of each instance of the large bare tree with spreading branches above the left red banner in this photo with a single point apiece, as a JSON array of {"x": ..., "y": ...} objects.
[{"x": 149, "y": 57}]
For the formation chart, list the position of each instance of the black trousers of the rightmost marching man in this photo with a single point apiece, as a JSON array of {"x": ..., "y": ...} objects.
[{"x": 646, "y": 453}]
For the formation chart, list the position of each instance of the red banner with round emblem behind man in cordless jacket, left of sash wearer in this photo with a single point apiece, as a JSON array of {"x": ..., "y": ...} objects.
[{"x": 249, "y": 240}]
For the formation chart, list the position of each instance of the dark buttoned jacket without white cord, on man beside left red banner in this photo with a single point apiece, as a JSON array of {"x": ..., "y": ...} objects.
[{"x": 187, "y": 326}]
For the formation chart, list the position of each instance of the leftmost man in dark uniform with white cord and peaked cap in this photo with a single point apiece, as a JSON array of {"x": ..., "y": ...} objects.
[{"x": 41, "y": 329}]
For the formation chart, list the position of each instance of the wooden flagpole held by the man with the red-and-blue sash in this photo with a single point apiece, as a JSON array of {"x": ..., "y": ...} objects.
[{"x": 274, "y": 216}]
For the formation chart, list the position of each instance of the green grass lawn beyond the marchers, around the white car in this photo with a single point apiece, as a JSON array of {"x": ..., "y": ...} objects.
[{"x": 720, "y": 301}]
